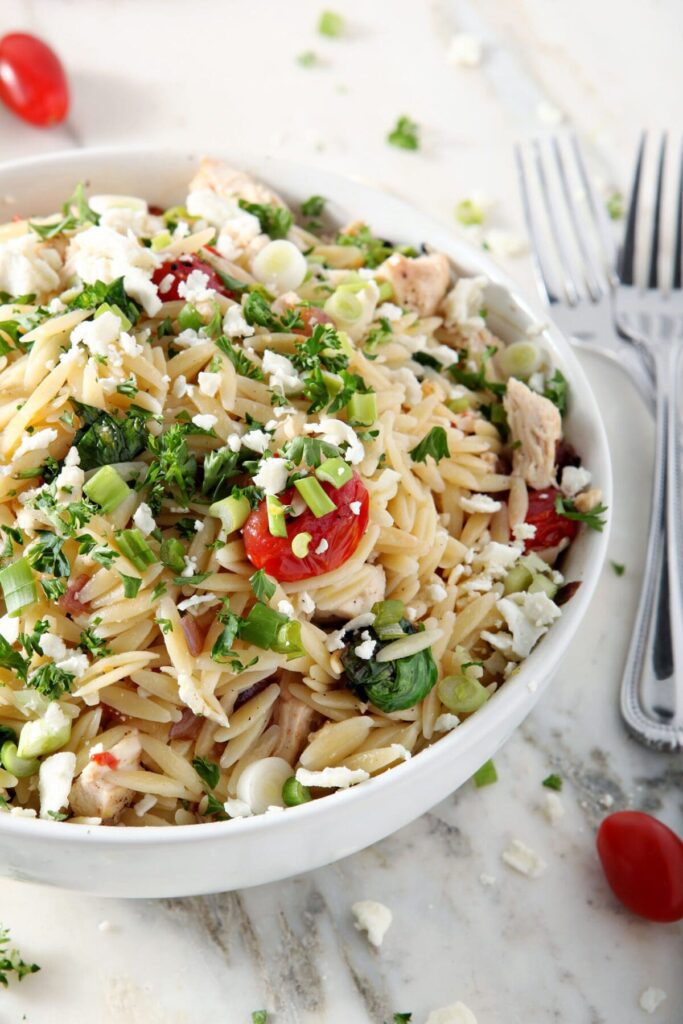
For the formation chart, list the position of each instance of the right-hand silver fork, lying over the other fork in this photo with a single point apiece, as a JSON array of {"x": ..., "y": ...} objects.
[{"x": 653, "y": 685}]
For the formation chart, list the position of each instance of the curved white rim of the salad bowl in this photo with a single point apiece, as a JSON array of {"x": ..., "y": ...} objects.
[{"x": 520, "y": 689}]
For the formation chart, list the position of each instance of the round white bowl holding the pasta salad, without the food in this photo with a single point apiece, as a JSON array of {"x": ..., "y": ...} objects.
[{"x": 221, "y": 857}]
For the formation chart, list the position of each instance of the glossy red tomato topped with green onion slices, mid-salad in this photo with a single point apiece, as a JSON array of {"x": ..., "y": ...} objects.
[{"x": 341, "y": 531}]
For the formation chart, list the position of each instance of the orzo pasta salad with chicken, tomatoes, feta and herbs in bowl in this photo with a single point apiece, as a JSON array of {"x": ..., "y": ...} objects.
[{"x": 277, "y": 507}]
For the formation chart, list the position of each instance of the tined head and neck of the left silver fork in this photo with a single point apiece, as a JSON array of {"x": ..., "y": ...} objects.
[{"x": 578, "y": 290}]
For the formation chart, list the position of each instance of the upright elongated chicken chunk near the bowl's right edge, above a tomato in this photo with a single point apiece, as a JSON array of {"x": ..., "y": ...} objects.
[{"x": 537, "y": 424}]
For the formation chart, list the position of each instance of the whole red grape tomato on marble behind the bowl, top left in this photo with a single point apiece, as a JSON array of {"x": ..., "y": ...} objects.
[{"x": 33, "y": 83}]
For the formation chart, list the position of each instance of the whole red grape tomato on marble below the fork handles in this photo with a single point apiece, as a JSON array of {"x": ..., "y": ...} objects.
[{"x": 644, "y": 864}]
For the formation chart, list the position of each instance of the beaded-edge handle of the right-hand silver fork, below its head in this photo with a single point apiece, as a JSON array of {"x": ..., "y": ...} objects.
[{"x": 653, "y": 685}]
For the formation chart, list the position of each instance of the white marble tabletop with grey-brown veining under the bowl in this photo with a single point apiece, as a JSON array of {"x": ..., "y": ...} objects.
[{"x": 520, "y": 952}]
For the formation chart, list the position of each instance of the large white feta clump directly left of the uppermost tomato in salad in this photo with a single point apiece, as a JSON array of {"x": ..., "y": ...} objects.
[{"x": 103, "y": 254}]
